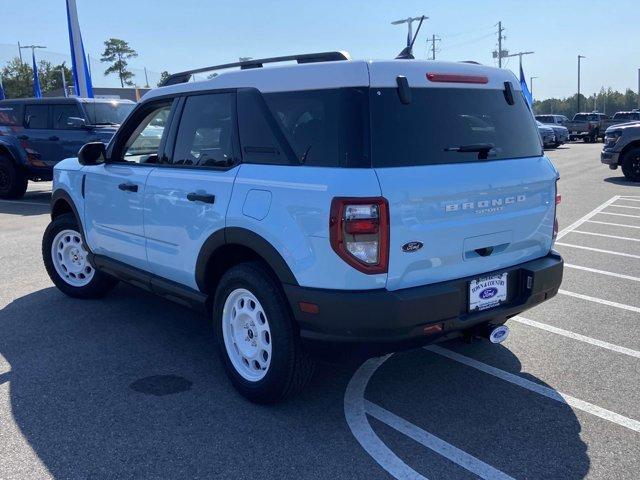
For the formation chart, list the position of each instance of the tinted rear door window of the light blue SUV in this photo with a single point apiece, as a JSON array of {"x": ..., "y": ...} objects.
[{"x": 207, "y": 131}]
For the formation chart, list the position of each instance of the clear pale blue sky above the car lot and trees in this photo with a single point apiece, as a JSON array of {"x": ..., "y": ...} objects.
[{"x": 175, "y": 35}]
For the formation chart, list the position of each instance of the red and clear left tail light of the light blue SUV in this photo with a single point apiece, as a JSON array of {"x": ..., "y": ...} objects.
[{"x": 359, "y": 232}]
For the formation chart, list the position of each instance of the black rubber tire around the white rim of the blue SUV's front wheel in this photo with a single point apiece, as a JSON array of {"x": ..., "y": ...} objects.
[{"x": 98, "y": 286}]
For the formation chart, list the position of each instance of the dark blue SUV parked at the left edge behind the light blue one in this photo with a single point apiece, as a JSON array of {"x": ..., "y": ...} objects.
[{"x": 35, "y": 134}]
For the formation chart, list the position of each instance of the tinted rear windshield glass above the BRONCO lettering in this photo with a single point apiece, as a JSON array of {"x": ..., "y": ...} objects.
[{"x": 439, "y": 120}]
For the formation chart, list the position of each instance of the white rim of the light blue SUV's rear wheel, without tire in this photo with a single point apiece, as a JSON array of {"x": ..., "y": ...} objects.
[{"x": 246, "y": 333}]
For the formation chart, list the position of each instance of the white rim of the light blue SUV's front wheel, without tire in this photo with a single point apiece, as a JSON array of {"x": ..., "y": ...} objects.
[{"x": 70, "y": 259}]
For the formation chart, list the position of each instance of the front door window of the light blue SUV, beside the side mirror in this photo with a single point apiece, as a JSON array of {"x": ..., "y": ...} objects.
[{"x": 143, "y": 144}]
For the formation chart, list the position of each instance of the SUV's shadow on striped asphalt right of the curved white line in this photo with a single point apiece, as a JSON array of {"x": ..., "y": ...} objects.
[{"x": 516, "y": 431}]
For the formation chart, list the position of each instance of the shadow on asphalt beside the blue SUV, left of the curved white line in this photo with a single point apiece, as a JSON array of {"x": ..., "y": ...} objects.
[{"x": 130, "y": 386}]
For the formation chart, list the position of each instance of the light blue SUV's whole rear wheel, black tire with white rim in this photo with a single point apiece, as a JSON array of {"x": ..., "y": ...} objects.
[{"x": 257, "y": 340}]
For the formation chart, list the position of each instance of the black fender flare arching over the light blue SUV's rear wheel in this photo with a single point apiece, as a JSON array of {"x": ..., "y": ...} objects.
[{"x": 246, "y": 238}]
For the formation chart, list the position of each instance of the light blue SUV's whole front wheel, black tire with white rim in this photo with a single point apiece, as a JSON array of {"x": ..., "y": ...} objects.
[{"x": 67, "y": 262}]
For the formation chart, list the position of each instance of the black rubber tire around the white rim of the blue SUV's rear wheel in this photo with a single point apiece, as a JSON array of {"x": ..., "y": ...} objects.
[{"x": 290, "y": 367}]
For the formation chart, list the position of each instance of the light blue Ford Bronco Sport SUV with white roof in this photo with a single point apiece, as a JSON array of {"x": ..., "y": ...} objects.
[{"x": 333, "y": 205}]
